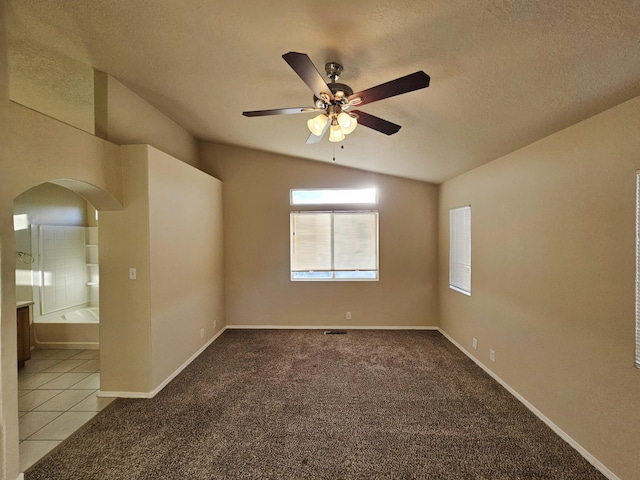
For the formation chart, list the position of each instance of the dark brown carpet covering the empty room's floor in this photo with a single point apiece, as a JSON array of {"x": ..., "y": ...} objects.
[{"x": 298, "y": 404}]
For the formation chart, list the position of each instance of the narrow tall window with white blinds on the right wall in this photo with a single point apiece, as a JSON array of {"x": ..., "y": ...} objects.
[{"x": 460, "y": 249}]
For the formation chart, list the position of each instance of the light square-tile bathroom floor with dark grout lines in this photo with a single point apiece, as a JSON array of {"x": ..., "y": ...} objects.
[{"x": 56, "y": 396}]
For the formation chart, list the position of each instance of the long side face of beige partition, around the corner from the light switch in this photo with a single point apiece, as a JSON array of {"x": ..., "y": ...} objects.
[{"x": 187, "y": 269}]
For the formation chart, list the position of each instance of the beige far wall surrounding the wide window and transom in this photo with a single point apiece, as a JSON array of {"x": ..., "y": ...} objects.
[{"x": 256, "y": 223}]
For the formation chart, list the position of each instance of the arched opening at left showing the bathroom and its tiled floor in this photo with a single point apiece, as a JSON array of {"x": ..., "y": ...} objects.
[{"x": 57, "y": 294}]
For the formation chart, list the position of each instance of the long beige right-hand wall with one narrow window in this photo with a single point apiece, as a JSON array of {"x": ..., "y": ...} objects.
[{"x": 553, "y": 272}]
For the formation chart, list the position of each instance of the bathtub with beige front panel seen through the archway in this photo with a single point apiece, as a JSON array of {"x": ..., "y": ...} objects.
[{"x": 78, "y": 328}]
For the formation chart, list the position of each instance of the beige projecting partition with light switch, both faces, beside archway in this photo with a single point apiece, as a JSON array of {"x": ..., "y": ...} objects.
[{"x": 170, "y": 231}]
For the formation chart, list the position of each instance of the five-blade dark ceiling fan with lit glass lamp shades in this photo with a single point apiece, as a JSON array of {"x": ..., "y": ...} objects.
[{"x": 334, "y": 101}]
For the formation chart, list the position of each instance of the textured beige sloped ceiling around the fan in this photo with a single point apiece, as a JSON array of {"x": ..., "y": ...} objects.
[{"x": 504, "y": 73}]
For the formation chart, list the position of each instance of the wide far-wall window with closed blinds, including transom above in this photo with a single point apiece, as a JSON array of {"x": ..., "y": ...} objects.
[{"x": 333, "y": 245}]
